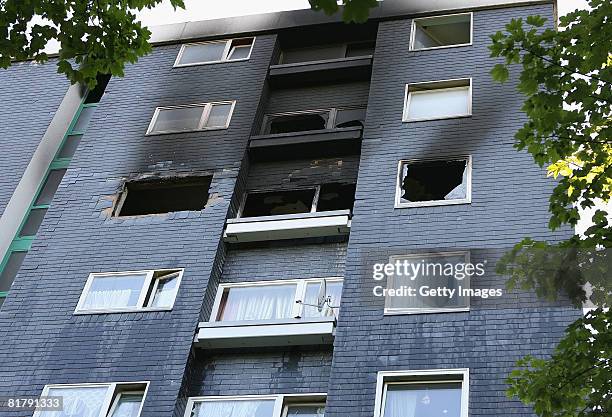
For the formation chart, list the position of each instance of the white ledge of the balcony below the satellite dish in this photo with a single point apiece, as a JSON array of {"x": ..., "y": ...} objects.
[{"x": 292, "y": 332}]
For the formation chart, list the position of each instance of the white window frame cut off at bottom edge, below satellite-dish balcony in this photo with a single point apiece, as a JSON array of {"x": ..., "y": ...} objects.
[{"x": 280, "y": 401}]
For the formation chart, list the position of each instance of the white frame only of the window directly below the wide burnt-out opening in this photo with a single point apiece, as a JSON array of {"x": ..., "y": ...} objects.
[{"x": 143, "y": 291}]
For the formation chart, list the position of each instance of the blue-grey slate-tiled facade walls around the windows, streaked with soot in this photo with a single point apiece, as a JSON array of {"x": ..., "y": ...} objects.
[{"x": 44, "y": 342}]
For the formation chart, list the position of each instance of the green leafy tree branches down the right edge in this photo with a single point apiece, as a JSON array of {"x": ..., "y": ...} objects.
[{"x": 567, "y": 80}]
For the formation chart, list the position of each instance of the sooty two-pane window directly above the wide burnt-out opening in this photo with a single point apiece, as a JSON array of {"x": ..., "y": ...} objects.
[{"x": 186, "y": 118}]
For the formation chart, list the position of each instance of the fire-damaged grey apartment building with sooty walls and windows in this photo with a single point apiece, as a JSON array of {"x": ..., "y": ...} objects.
[{"x": 198, "y": 238}]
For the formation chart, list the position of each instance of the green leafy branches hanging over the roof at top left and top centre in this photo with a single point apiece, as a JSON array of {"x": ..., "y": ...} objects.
[{"x": 98, "y": 36}]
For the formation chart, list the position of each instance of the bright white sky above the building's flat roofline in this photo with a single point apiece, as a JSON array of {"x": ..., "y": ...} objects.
[{"x": 214, "y": 9}]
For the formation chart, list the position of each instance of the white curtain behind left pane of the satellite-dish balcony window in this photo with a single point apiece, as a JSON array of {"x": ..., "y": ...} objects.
[{"x": 267, "y": 302}]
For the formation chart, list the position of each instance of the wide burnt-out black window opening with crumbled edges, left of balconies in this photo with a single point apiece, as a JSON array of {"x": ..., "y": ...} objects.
[{"x": 164, "y": 196}]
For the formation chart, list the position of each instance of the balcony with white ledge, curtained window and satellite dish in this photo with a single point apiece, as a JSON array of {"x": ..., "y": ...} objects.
[{"x": 272, "y": 313}]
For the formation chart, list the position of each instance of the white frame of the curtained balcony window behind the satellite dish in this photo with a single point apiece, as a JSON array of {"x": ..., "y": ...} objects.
[{"x": 300, "y": 293}]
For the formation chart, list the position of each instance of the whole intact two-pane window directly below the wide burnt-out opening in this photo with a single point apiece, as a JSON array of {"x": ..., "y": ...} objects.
[{"x": 130, "y": 291}]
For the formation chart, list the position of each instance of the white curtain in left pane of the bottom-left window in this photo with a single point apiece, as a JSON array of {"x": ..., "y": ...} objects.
[{"x": 78, "y": 402}]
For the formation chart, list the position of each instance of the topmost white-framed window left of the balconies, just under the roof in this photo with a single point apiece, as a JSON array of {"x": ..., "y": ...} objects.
[{"x": 215, "y": 51}]
